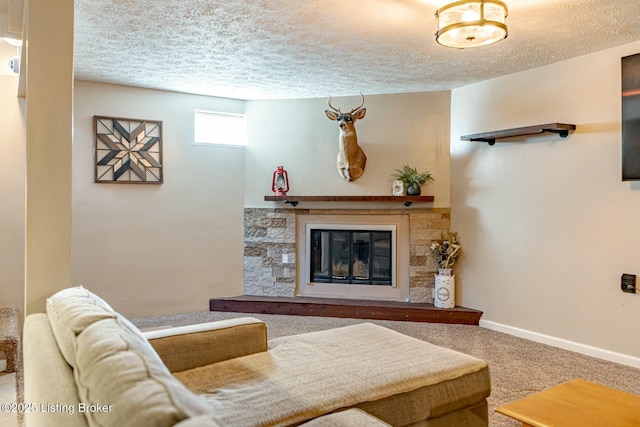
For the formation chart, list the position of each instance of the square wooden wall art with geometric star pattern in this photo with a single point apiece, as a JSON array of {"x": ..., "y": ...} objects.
[{"x": 127, "y": 150}]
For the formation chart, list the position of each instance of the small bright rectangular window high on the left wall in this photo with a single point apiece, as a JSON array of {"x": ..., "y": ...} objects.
[{"x": 213, "y": 128}]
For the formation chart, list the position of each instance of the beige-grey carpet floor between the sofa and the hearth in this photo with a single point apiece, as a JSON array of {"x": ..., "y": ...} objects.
[{"x": 518, "y": 367}]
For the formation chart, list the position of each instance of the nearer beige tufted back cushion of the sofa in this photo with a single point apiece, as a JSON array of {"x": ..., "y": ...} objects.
[{"x": 118, "y": 371}]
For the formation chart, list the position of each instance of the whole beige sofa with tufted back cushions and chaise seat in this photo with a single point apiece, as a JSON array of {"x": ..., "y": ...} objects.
[{"x": 87, "y": 365}]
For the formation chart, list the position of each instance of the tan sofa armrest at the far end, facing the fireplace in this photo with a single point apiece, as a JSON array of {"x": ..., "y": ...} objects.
[{"x": 187, "y": 347}]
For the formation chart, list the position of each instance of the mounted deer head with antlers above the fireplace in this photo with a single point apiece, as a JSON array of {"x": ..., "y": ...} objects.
[{"x": 351, "y": 159}]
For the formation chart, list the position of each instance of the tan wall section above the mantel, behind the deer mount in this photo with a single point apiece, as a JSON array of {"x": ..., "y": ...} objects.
[{"x": 397, "y": 129}]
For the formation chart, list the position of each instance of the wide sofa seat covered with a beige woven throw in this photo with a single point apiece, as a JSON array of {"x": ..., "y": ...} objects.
[{"x": 306, "y": 376}]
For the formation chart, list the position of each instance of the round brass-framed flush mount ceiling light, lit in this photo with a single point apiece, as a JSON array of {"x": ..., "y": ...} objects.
[{"x": 471, "y": 23}]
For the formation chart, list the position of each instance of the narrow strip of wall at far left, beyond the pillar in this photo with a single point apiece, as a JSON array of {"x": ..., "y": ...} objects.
[{"x": 12, "y": 186}]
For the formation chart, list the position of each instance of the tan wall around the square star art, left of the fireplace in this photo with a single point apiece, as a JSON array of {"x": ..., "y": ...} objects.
[{"x": 158, "y": 249}]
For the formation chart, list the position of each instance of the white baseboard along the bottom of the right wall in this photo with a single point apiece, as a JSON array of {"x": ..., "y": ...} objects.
[{"x": 588, "y": 350}]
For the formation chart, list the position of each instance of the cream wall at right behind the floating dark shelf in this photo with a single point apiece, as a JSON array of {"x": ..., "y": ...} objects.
[{"x": 547, "y": 225}]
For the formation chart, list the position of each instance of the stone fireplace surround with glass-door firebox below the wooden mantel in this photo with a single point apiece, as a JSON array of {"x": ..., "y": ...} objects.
[{"x": 277, "y": 258}]
